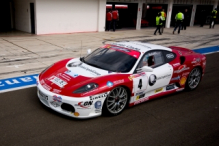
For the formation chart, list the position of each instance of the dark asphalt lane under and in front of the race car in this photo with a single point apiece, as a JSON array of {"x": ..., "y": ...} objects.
[{"x": 184, "y": 118}]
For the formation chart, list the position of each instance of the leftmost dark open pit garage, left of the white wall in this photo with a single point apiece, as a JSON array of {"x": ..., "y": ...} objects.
[{"x": 17, "y": 15}]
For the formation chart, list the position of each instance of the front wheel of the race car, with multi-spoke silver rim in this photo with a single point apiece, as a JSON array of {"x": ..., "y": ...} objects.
[{"x": 116, "y": 101}]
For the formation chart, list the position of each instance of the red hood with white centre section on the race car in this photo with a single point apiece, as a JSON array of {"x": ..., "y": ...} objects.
[{"x": 66, "y": 76}]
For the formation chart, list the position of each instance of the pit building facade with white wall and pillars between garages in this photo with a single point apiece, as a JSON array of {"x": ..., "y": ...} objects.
[{"x": 70, "y": 16}]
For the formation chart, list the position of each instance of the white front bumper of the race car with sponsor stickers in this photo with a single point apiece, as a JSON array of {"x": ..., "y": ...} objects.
[{"x": 83, "y": 107}]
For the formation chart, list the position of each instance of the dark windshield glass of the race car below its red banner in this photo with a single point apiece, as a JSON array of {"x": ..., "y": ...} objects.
[{"x": 111, "y": 60}]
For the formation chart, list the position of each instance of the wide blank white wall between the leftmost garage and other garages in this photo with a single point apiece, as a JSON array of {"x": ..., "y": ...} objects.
[{"x": 67, "y": 16}]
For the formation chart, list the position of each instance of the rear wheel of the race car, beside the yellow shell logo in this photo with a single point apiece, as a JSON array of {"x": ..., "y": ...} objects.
[{"x": 193, "y": 79}]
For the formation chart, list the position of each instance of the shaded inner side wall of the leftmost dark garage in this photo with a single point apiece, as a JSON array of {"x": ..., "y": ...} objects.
[{"x": 22, "y": 15}]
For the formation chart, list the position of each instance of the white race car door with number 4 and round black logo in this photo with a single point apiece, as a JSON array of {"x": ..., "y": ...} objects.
[{"x": 157, "y": 79}]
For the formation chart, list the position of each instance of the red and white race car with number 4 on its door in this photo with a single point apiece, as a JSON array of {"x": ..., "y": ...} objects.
[{"x": 116, "y": 75}]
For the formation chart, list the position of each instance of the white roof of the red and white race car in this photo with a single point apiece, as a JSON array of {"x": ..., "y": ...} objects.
[{"x": 139, "y": 46}]
